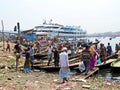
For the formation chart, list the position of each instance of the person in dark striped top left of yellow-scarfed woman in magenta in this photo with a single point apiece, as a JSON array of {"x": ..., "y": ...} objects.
[{"x": 86, "y": 59}]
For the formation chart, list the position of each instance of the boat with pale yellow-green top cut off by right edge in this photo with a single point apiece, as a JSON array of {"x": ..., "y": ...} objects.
[{"x": 115, "y": 66}]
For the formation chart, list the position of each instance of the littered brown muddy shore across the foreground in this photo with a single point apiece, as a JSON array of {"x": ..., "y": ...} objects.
[{"x": 40, "y": 80}]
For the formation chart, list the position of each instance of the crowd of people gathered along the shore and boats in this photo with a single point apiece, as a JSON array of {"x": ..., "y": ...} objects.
[{"x": 91, "y": 52}]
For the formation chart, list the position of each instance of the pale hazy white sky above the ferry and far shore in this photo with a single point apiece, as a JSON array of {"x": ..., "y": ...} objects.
[{"x": 94, "y": 16}]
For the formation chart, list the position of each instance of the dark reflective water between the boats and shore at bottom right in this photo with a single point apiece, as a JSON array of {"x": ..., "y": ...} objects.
[{"x": 107, "y": 74}]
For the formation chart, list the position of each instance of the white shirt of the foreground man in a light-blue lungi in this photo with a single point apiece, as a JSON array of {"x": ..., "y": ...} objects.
[{"x": 64, "y": 59}]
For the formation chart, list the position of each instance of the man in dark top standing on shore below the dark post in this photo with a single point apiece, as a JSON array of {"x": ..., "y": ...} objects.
[{"x": 18, "y": 51}]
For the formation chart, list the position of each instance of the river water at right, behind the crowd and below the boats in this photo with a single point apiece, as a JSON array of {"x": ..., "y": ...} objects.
[{"x": 107, "y": 73}]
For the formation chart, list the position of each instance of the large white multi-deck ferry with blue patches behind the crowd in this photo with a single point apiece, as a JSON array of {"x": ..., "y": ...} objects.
[{"x": 63, "y": 32}]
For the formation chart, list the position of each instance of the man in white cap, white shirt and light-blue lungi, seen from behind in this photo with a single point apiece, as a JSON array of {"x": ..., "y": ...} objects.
[{"x": 64, "y": 65}]
